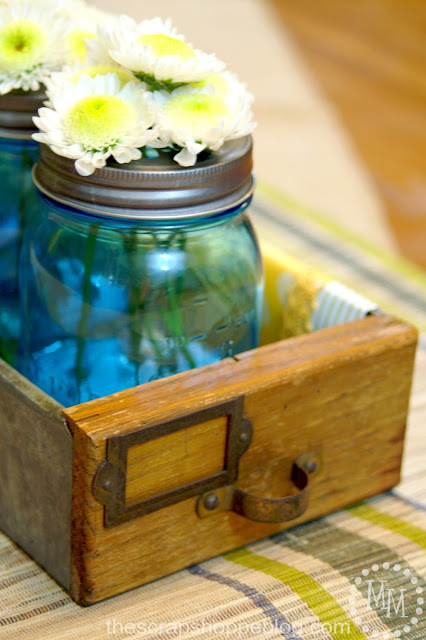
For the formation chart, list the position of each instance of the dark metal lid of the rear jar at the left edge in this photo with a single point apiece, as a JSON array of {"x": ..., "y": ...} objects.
[{"x": 16, "y": 113}]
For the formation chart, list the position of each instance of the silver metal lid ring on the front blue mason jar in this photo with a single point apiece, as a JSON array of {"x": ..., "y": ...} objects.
[{"x": 152, "y": 188}]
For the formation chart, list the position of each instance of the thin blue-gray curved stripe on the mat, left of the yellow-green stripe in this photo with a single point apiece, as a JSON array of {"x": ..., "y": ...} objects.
[{"x": 279, "y": 621}]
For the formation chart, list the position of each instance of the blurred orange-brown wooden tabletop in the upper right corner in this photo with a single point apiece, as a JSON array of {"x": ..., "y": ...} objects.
[{"x": 369, "y": 57}]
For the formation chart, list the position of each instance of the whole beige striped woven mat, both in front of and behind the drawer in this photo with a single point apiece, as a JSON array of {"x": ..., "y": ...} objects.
[{"x": 310, "y": 582}]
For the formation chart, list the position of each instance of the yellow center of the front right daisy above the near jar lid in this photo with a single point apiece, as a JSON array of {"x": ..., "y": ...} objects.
[{"x": 196, "y": 113}]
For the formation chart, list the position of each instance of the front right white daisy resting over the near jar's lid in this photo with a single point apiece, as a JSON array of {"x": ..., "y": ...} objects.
[{"x": 200, "y": 118}]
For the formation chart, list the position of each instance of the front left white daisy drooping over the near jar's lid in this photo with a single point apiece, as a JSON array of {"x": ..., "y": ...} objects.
[{"x": 95, "y": 118}]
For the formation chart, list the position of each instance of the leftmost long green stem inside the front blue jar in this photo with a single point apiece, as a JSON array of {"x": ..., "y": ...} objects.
[{"x": 85, "y": 308}]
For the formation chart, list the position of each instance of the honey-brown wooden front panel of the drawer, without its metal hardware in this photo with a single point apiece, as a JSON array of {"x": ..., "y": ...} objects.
[{"x": 342, "y": 391}]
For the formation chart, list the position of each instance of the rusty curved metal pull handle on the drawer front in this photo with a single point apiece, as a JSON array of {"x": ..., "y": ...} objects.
[{"x": 272, "y": 510}]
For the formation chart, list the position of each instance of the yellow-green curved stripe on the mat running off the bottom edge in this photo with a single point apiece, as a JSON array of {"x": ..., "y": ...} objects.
[{"x": 324, "y": 605}]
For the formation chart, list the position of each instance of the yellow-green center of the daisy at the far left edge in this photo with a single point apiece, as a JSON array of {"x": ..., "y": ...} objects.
[{"x": 22, "y": 44}]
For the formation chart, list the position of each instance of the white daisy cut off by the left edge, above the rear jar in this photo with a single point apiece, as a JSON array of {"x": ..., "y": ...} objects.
[{"x": 31, "y": 44}]
